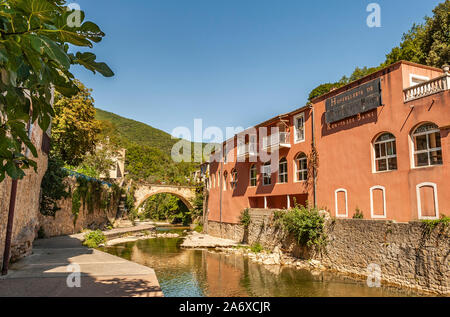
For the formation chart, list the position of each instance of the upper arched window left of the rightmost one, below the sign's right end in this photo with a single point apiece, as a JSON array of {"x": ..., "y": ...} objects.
[{"x": 385, "y": 153}]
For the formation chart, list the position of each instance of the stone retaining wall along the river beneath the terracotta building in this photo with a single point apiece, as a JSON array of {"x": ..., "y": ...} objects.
[{"x": 407, "y": 253}]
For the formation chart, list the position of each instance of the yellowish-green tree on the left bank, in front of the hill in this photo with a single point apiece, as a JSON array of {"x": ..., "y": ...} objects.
[{"x": 74, "y": 128}]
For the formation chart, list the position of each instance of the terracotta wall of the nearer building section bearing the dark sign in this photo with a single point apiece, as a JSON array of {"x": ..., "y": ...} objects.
[{"x": 346, "y": 155}]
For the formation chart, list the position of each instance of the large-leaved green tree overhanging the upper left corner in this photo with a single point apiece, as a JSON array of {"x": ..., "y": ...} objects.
[{"x": 35, "y": 36}]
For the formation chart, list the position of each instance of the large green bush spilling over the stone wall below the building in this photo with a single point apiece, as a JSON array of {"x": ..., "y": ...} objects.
[{"x": 306, "y": 224}]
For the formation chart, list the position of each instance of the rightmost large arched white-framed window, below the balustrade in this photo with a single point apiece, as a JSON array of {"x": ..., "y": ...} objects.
[{"x": 427, "y": 145}]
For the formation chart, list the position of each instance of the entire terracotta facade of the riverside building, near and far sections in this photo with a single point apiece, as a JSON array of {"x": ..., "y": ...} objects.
[{"x": 346, "y": 156}]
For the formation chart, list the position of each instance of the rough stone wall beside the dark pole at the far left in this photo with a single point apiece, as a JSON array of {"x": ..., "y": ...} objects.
[{"x": 27, "y": 205}]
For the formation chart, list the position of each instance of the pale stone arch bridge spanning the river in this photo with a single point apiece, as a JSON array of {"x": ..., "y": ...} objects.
[{"x": 144, "y": 191}]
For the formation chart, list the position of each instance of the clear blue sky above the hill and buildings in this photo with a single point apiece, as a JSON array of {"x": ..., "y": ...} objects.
[{"x": 233, "y": 62}]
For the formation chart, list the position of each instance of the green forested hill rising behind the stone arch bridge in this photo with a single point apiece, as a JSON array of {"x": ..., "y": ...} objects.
[{"x": 148, "y": 149}]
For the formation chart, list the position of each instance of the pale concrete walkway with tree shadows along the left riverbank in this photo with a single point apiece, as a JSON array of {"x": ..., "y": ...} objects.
[{"x": 46, "y": 271}]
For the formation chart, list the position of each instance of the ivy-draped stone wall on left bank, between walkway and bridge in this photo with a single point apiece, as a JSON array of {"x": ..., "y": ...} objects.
[{"x": 64, "y": 221}]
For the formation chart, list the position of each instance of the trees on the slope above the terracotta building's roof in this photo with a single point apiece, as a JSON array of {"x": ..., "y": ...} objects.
[{"x": 427, "y": 43}]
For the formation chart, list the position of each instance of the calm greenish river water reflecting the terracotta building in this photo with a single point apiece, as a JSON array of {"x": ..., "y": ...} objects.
[{"x": 198, "y": 273}]
